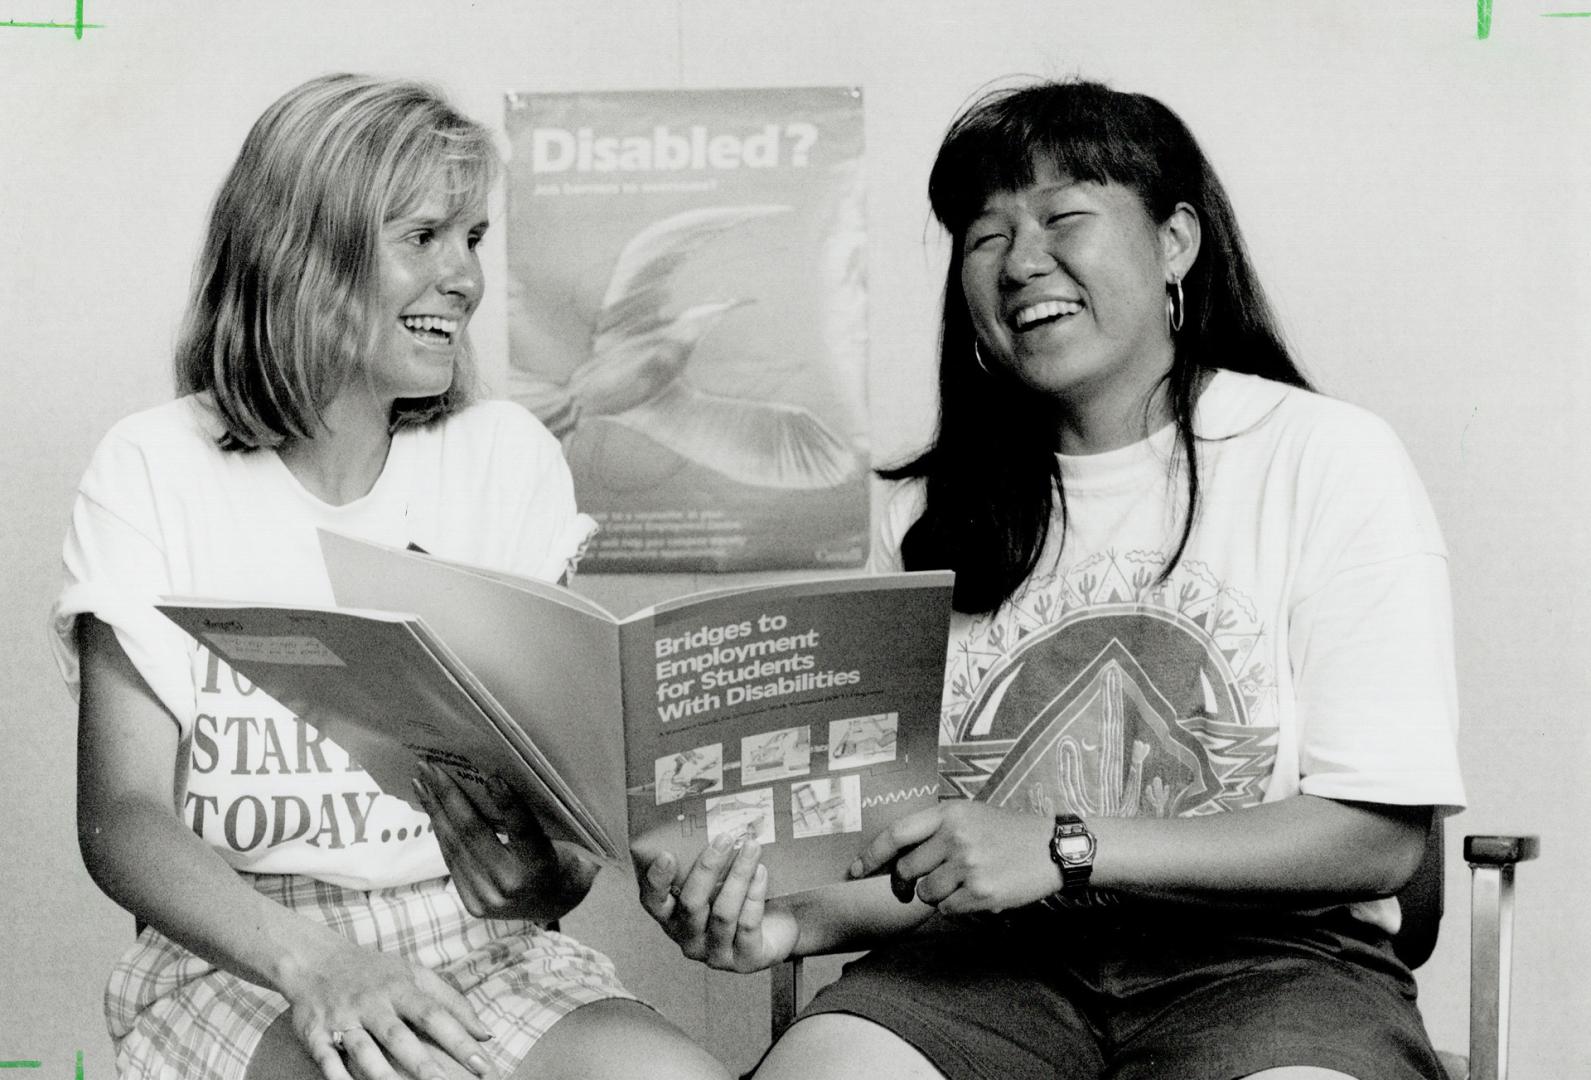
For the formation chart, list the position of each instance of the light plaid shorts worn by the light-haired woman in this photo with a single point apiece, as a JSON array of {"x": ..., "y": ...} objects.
[{"x": 174, "y": 1016}]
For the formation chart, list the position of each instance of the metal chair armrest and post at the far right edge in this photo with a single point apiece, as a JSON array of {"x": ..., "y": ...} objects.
[{"x": 1492, "y": 947}]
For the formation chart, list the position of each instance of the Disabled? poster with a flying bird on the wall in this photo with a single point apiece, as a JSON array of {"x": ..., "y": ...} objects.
[{"x": 687, "y": 305}]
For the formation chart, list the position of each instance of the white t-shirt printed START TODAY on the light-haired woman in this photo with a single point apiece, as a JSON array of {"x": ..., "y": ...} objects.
[{"x": 163, "y": 511}]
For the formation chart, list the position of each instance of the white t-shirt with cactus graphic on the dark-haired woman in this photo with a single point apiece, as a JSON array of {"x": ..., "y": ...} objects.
[{"x": 1304, "y": 642}]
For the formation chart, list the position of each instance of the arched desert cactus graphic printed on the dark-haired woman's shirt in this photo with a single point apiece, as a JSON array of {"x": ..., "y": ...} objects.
[{"x": 1105, "y": 693}]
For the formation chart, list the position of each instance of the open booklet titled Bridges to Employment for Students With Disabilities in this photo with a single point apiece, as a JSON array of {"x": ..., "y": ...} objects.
[{"x": 804, "y": 715}]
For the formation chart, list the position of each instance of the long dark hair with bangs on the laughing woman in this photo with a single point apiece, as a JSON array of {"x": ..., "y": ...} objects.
[{"x": 989, "y": 516}]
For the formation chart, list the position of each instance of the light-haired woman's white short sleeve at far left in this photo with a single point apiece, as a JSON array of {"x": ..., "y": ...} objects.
[{"x": 115, "y": 567}]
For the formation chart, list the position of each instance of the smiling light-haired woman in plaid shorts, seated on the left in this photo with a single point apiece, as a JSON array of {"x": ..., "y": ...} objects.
[{"x": 298, "y": 920}]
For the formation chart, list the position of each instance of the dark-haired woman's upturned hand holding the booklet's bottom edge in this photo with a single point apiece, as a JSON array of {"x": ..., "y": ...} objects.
[{"x": 720, "y": 915}]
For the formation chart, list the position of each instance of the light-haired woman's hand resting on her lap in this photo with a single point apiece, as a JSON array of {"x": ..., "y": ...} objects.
[{"x": 386, "y": 1011}]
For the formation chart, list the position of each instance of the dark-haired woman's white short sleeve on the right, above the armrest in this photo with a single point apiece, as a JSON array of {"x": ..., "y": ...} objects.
[{"x": 1371, "y": 634}]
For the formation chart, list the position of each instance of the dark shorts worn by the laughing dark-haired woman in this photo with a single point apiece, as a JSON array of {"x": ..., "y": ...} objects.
[{"x": 1165, "y": 995}]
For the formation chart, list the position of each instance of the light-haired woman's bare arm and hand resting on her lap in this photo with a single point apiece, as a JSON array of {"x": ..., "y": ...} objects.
[{"x": 395, "y": 1019}]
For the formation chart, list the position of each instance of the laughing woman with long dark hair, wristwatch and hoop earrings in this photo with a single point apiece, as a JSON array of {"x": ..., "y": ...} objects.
[{"x": 1200, "y": 702}]
